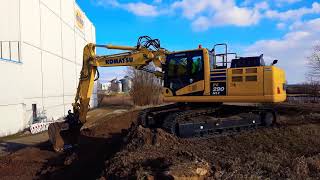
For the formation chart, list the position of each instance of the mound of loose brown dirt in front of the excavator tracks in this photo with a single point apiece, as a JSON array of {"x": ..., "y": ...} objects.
[{"x": 154, "y": 153}]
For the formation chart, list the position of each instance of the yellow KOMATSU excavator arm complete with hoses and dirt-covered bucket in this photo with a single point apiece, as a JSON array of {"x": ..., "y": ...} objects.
[{"x": 145, "y": 52}]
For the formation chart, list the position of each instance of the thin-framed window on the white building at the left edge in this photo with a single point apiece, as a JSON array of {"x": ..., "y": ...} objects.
[{"x": 10, "y": 51}]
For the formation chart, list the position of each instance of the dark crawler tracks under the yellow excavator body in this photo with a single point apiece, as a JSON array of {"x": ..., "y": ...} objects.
[{"x": 198, "y": 121}]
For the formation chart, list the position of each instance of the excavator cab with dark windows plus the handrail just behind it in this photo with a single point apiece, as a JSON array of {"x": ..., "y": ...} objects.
[{"x": 188, "y": 72}]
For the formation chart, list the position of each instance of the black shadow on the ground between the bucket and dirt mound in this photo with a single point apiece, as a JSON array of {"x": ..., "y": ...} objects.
[{"x": 84, "y": 162}]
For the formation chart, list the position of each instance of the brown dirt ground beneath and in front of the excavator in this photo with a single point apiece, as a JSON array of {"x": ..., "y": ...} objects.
[{"x": 110, "y": 147}]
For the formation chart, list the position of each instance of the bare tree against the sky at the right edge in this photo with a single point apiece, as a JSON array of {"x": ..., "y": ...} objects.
[{"x": 314, "y": 65}]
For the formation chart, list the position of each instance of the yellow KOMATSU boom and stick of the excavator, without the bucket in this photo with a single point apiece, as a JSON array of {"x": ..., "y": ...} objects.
[{"x": 137, "y": 57}]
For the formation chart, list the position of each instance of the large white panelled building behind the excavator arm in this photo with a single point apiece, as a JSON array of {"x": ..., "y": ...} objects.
[{"x": 41, "y": 44}]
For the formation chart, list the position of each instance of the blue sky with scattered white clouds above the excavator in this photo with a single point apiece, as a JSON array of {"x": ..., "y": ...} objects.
[{"x": 280, "y": 29}]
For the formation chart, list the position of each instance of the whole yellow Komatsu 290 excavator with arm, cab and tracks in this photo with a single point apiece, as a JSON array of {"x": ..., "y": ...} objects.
[{"x": 197, "y": 81}]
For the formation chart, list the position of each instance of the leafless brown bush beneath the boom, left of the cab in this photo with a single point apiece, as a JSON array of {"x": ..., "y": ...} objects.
[{"x": 146, "y": 88}]
